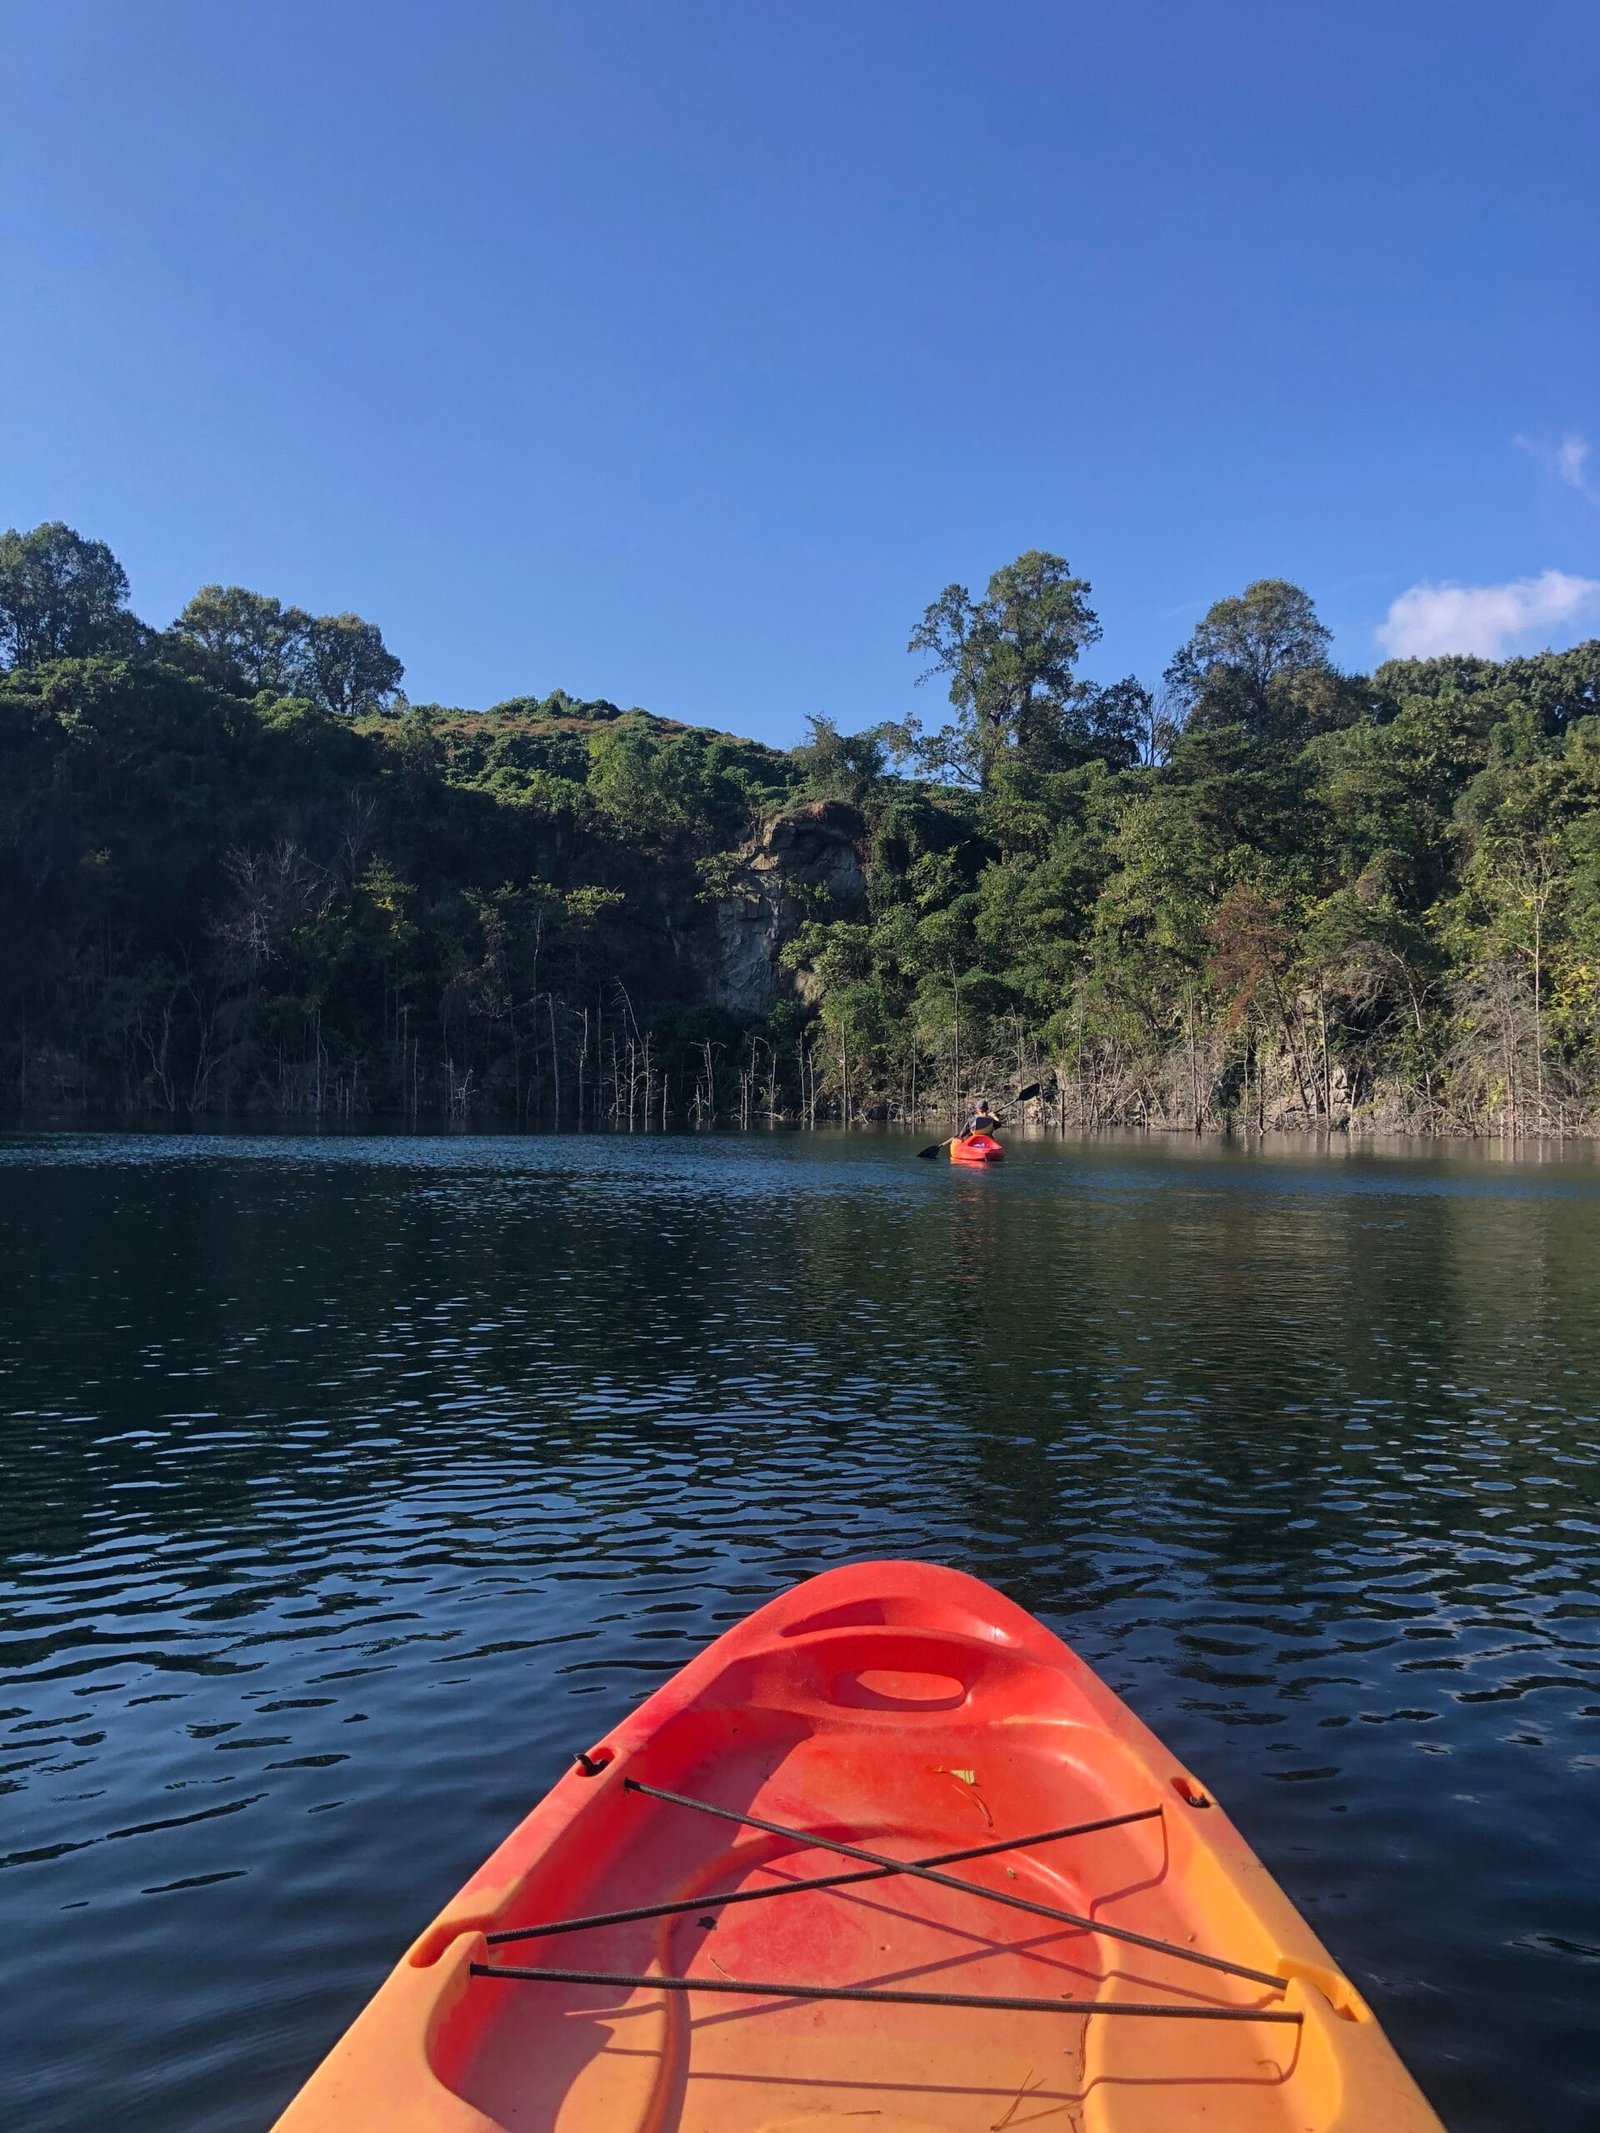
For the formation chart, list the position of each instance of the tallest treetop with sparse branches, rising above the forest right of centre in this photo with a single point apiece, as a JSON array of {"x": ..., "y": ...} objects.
[{"x": 1010, "y": 660}]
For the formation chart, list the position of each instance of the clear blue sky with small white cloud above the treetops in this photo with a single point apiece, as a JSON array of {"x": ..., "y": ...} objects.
[{"x": 682, "y": 353}]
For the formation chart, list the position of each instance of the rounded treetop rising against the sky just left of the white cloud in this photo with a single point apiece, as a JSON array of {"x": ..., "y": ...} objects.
[{"x": 1255, "y": 662}]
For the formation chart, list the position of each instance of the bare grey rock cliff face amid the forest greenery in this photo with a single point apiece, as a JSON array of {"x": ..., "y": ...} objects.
[{"x": 803, "y": 865}]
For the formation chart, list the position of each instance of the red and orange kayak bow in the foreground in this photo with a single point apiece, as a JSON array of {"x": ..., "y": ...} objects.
[{"x": 910, "y": 1714}]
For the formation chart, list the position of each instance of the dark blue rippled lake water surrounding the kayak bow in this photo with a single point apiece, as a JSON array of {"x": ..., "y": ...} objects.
[{"x": 353, "y": 1484}]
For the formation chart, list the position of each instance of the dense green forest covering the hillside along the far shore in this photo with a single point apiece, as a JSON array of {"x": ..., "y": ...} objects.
[{"x": 242, "y": 876}]
